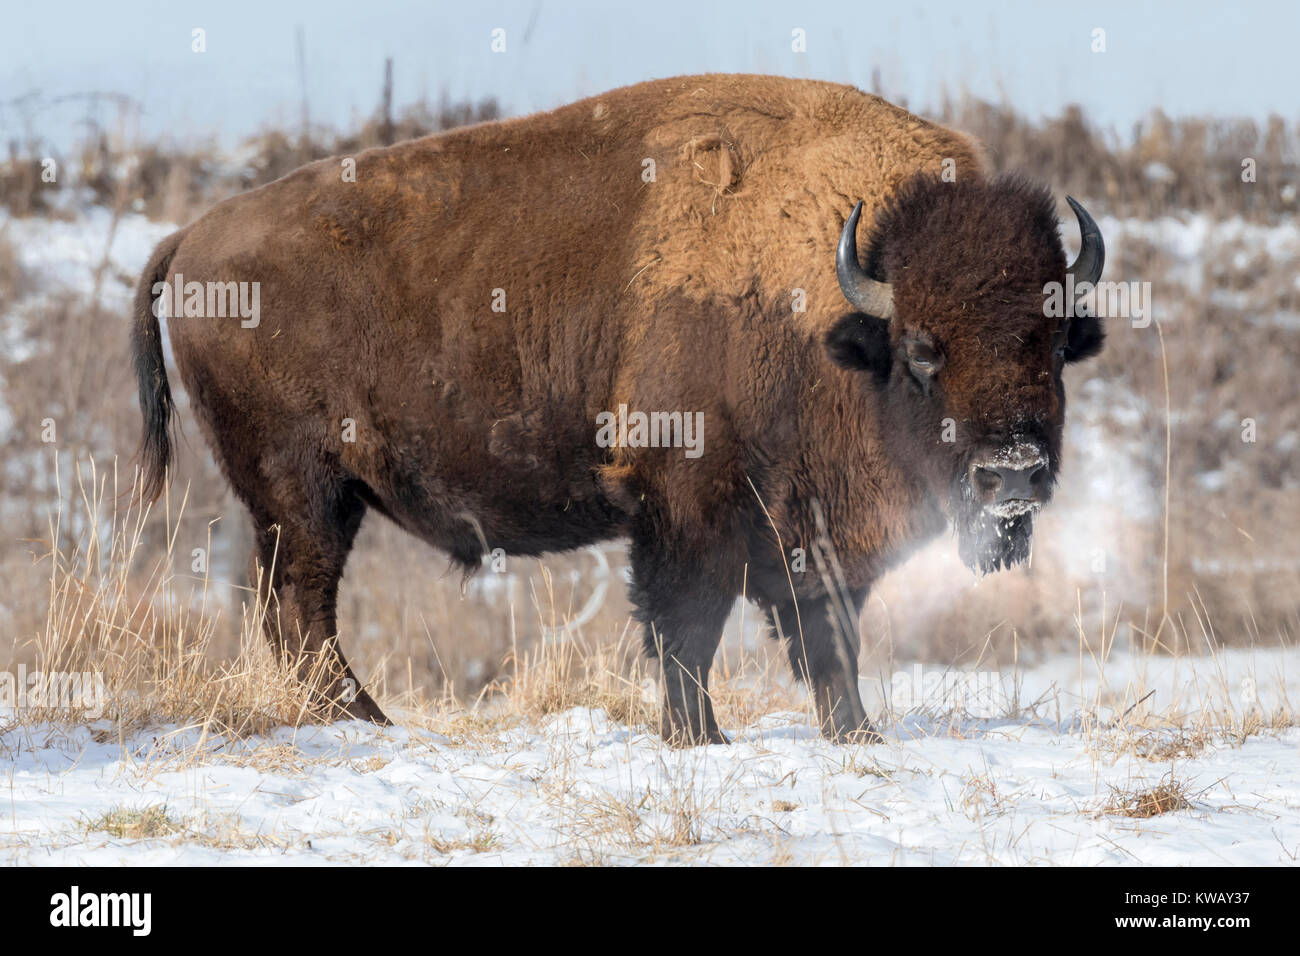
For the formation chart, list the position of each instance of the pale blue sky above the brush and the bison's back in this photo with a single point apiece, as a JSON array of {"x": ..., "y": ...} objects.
[{"x": 1193, "y": 58}]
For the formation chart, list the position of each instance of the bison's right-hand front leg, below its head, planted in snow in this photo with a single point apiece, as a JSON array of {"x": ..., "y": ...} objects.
[{"x": 822, "y": 641}]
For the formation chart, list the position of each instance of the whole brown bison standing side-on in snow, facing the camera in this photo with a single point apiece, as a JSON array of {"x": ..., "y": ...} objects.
[{"x": 448, "y": 328}]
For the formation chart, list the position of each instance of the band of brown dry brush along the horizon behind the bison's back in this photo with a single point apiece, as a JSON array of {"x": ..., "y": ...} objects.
[{"x": 1163, "y": 163}]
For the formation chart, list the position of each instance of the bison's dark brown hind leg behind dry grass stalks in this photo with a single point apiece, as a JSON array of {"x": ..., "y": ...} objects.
[{"x": 305, "y": 521}]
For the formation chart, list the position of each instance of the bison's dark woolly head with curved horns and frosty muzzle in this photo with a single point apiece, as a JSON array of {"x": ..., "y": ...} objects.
[{"x": 955, "y": 326}]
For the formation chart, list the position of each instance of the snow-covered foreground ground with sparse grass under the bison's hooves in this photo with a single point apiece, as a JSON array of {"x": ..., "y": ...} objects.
[{"x": 579, "y": 788}]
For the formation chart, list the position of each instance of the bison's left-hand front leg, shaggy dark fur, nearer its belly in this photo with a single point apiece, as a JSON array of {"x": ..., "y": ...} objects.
[{"x": 683, "y": 609}]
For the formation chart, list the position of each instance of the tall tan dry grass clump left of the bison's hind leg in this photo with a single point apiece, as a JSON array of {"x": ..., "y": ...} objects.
[{"x": 146, "y": 625}]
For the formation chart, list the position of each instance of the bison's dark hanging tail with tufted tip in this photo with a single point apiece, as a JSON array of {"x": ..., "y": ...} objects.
[{"x": 155, "y": 455}]
